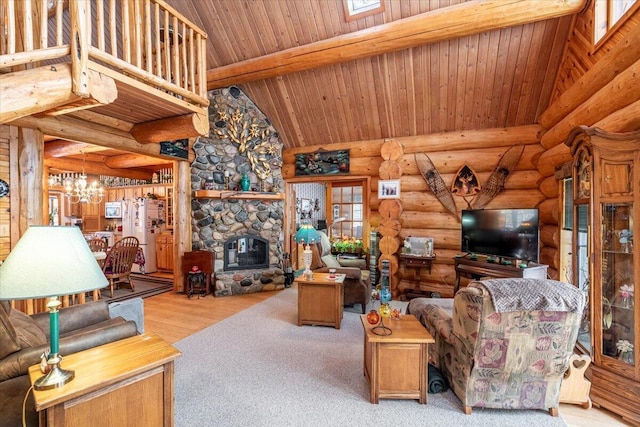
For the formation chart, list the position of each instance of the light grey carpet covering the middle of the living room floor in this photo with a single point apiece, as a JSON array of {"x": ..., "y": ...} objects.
[{"x": 258, "y": 368}]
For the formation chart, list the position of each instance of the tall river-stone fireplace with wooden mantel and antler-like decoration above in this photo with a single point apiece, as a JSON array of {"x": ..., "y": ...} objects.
[{"x": 244, "y": 229}]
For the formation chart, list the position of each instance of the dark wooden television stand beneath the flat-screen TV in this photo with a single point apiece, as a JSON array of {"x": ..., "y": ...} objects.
[{"x": 478, "y": 268}]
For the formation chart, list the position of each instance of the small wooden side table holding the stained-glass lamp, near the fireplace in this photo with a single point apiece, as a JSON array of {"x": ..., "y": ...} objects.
[{"x": 320, "y": 300}]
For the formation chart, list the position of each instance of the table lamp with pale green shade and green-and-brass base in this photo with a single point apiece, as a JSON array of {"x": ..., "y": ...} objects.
[{"x": 48, "y": 262}]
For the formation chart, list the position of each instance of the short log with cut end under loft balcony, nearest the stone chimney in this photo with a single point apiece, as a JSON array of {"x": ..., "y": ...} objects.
[{"x": 186, "y": 126}]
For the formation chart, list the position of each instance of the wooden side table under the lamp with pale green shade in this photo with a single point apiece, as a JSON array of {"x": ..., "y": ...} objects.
[{"x": 126, "y": 382}]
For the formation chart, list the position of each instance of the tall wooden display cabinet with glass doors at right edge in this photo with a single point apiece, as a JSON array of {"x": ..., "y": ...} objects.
[{"x": 606, "y": 263}]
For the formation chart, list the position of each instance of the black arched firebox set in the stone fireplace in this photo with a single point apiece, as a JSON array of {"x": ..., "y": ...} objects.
[{"x": 246, "y": 253}]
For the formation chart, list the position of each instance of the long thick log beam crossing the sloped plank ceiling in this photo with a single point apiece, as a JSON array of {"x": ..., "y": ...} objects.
[{"x": 472, "y": 17}]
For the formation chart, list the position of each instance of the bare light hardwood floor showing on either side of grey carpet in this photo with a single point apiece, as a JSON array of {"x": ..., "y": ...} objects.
[{"x": 174, "y": 317}]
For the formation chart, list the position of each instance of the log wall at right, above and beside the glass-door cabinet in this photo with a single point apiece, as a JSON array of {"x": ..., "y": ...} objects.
[{"x": 595, "y": 88}]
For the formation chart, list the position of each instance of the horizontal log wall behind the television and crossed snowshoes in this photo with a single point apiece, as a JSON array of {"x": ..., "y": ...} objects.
[{"x": 421, "y": 214}]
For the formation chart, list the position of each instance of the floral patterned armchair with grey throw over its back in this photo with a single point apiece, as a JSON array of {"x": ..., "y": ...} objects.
[{"x": 507, "y": 343}]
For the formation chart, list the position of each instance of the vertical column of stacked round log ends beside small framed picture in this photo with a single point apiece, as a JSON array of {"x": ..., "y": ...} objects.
[{"x": 390, "y": 211}]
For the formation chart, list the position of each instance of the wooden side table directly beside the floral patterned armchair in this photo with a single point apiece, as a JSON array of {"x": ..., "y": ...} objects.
[{"x": 396, "y": 365}]
